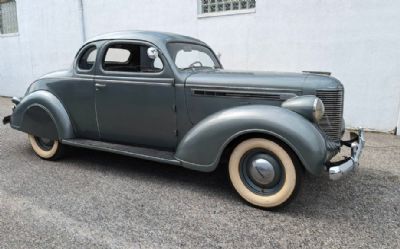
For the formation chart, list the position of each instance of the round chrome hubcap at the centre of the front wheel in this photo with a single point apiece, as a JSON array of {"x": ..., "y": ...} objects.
[{"x": 262, "y": 171}]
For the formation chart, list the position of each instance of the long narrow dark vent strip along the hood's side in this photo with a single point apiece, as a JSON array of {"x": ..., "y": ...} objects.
[{"x": 242, "y": 94}]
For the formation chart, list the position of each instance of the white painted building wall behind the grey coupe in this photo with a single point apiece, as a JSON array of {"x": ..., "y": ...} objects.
[{"x": 357, "y": 40}]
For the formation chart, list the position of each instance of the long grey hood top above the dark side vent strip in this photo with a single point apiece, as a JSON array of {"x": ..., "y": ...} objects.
[{"x": 293, "y": 82}]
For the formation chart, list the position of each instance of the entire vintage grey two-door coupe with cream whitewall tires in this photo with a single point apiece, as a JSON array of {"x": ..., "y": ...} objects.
[{"x": 166, "y": 97}]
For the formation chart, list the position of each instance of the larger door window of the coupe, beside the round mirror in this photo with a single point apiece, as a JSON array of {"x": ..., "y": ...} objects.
[{"x": 130, "y": 58}]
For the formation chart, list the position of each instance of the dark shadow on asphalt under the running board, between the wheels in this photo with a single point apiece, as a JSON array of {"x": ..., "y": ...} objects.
[{"x": 158, "y": 172}]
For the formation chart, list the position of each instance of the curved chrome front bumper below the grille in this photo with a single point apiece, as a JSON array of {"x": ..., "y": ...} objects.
[{"x": 350, "y": 164}]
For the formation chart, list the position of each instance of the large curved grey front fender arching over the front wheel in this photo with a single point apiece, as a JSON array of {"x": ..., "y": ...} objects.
[{"x": 202, "y": 146}]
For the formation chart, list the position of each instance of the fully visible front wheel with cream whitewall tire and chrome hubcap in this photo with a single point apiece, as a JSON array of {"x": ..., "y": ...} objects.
[{"x": 263, "y": 173}]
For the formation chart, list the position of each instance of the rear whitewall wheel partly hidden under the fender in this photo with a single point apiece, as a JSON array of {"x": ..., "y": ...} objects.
[{"x": 46, "y": 148}]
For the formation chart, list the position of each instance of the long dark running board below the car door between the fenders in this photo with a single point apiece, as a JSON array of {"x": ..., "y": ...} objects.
[{"x": 126, "y": 150}]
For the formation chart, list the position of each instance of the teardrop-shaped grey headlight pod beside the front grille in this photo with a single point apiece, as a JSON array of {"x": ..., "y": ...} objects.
[{"x": 308, "y": 106}]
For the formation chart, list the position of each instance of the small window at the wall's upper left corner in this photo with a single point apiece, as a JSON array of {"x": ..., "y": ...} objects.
[{"x": 8, "y": 17}]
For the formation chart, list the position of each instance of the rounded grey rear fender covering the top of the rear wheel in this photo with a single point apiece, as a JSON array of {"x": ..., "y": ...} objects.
[{"x": 42, "y": 114}]
